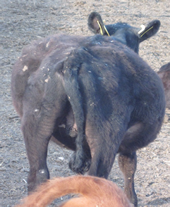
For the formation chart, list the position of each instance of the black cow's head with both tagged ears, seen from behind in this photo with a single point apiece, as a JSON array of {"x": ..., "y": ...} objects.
[{"x": 123, "y": 32}]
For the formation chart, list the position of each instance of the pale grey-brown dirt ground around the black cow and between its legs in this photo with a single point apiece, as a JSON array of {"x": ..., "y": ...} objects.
[{"x": 21, "y": 22}]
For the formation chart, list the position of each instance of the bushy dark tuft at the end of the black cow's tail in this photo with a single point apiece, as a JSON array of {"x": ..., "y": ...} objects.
[{"x": 79, "y": 163}]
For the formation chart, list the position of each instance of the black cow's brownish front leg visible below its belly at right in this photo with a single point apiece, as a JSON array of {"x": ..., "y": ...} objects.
[{"x": 127, "y": 164}]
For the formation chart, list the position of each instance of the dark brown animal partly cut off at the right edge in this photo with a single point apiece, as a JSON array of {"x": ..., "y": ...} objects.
[{"x": 164, "y": 74}]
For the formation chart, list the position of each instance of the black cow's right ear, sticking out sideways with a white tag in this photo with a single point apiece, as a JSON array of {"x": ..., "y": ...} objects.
[{"x": 149, "y": 30}]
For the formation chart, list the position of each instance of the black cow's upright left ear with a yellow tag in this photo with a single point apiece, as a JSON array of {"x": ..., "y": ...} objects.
[{"x": 95, "y": 23}]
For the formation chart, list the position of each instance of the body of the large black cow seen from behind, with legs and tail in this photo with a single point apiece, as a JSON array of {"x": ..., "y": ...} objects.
[{"x": 93, "y": 95}]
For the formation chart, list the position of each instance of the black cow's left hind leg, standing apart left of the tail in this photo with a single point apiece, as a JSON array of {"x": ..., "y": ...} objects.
[{"x": 37, "y": 133}]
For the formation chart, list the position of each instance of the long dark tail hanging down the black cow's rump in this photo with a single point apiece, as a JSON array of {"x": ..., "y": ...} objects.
[{"x": 72, "y": 66}]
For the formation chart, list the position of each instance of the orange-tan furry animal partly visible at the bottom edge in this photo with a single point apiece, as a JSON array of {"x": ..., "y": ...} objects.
[{"x": 94, "y": 192}]
